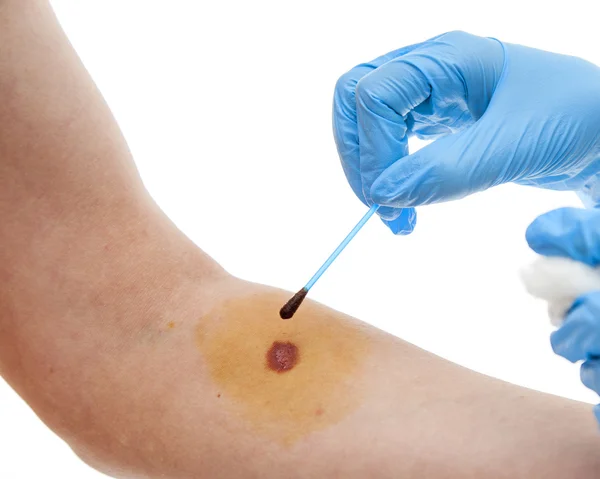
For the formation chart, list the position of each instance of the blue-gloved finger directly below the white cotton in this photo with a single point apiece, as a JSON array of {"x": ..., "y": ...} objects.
[{"x": 578, "y": 339}]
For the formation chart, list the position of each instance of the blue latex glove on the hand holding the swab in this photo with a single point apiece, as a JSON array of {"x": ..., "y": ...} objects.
[{"x": 499, "y": 113}]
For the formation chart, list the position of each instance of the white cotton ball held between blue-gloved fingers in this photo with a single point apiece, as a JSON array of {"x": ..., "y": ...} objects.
[{"x": 559, "y": 281}]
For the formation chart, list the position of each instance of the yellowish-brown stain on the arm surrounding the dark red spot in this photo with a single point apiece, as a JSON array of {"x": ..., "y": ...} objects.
[{"x": 318, "y": 392}]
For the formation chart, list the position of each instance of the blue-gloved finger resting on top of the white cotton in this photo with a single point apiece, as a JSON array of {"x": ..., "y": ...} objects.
[{"x": 567, "y": 232}]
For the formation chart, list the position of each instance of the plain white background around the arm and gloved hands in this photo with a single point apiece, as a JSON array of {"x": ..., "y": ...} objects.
[{"x": 227, "y": 108}]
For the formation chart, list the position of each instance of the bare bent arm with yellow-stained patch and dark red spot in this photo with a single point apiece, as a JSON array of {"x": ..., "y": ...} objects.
[{"x": 151, "y": 361}]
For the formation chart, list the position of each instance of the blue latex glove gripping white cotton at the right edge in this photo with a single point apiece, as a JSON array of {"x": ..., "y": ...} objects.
[{"x": 574, "y": 233}]
